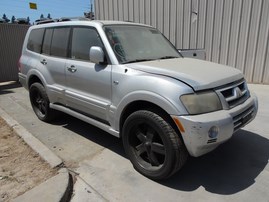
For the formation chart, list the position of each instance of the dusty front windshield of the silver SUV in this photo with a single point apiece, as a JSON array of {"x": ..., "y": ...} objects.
[{"x": 138, "y": 43}]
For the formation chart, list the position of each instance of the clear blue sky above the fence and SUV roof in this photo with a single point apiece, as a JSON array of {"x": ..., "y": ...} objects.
[{"x": 56, "y": 8}]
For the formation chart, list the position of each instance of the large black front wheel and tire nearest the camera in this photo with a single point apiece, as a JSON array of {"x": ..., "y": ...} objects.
[{"x": 152, "y": 145}]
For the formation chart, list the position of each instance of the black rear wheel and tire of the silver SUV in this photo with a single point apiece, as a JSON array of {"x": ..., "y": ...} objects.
[{"x": 40, "y": 103}]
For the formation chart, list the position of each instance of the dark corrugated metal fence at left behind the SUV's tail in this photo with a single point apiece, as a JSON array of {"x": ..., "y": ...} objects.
[{"x": 11, "y": 40}]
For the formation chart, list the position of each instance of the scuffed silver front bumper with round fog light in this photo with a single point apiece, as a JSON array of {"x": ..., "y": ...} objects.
[{"x": 196, "y": 137}]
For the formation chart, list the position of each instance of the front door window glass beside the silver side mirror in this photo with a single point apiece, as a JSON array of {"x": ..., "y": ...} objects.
[{"x": 82, "y": 40}]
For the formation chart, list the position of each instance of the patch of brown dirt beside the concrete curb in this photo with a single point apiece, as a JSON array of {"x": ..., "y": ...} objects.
[{"x": 21, "y": 168}]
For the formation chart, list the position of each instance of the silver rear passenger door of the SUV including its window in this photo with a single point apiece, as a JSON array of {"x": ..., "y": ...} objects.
[{"x": 53, "y": 59}]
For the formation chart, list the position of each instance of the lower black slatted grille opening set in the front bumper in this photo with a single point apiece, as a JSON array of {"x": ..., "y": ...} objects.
[{"x": 242, "y": 118}]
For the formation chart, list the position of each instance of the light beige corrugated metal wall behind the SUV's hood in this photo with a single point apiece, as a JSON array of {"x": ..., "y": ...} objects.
[{"x": 233, "y": 32}]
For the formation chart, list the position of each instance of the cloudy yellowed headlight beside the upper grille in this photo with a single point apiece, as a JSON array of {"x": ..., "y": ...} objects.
[{"x": 199, "y": 103}]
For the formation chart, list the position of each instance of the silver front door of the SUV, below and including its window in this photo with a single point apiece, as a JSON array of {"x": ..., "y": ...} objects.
[{"x": 88, "y": 84}]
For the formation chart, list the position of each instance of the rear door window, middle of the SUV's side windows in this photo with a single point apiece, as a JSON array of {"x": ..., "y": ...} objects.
[{"x": 59, "y": 43}]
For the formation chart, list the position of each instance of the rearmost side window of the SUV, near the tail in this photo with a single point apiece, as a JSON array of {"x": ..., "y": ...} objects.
[{"x": 35, "y": 40}]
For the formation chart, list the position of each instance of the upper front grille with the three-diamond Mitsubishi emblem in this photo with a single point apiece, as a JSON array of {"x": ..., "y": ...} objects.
[{"x": 234, "y": 94}]
